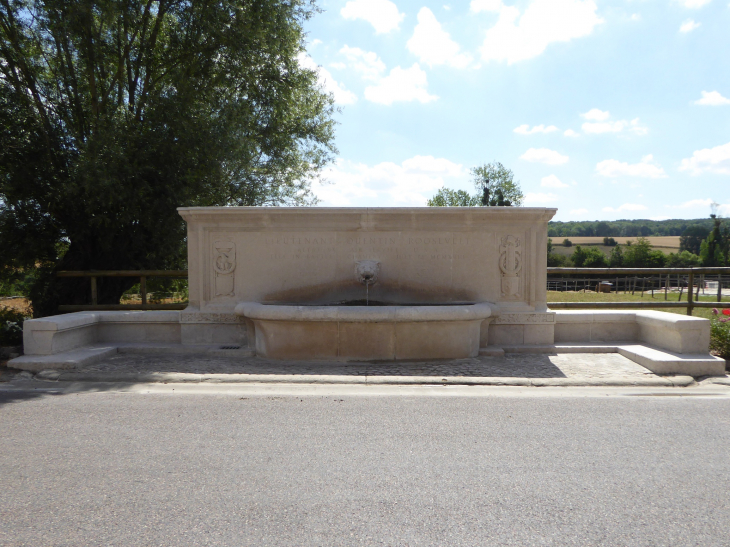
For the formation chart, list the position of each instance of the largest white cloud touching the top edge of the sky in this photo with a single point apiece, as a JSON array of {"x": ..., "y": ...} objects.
[{"x": 516, "y": 37}]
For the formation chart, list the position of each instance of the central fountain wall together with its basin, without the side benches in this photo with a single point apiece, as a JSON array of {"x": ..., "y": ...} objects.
[{"x": 438, "y": 282}]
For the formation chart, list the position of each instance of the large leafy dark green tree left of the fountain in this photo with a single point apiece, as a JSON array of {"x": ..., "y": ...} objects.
[{"x": 114, "y": 113}]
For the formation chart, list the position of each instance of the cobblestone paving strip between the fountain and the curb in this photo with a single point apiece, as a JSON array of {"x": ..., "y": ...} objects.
[{"x": 583, "y": 365}]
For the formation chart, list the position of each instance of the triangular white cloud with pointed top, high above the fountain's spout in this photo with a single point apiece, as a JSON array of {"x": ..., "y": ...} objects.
[{"x": 433, "y": 45}]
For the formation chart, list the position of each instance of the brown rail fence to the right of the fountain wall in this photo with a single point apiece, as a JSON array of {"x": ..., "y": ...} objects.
[{"x": 607, "y": 275}]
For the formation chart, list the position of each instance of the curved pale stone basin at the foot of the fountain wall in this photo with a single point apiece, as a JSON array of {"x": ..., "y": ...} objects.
[{"x": 382, "y": 332}]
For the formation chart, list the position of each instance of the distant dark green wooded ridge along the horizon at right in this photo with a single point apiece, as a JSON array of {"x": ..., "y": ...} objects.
[{"x": 625, "y": 228}]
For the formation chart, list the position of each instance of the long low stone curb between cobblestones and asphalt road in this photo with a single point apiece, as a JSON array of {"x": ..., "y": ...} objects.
[{"x": 187, "y": 378}]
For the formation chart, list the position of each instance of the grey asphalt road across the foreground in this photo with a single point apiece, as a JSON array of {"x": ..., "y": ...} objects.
[{"x": 230, "y": 469}]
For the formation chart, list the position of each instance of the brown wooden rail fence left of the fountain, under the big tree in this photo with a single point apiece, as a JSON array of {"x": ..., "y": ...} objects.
[{"x": 142, "y": 274}]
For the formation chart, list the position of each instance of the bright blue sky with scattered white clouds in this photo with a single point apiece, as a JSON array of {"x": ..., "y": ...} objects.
[{"x": 604, "y": 109}]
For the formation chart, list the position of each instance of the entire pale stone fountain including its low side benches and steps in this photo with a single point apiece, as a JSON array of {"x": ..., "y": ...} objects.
[{"x": 361, "y": 284}]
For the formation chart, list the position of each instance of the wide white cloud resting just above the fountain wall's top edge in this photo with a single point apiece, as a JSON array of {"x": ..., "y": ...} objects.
[{"x": 409, "y": 184}]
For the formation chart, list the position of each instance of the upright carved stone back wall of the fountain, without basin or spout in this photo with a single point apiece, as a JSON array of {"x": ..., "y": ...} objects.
[{"x": 309, "y": 256}]
